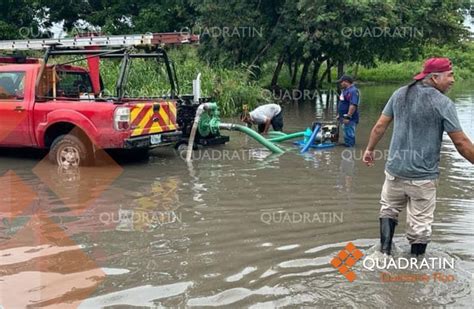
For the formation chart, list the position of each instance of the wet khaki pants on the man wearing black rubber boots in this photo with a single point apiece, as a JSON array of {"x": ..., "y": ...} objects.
[{"x": 418, "y": 197}]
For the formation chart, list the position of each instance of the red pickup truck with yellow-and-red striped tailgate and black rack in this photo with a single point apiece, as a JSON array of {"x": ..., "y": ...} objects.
[{"x": 63, "y": 108}]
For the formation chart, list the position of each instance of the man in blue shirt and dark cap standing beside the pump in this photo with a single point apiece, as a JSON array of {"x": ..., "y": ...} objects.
[{"x": 348, "y": 109}]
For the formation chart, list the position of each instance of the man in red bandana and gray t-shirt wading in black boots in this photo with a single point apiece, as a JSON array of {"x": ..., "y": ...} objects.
[{"x": 421, "y": 113}]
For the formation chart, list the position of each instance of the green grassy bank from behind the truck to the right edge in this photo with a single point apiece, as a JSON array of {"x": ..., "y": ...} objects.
[{"x": 233, "y": 87}]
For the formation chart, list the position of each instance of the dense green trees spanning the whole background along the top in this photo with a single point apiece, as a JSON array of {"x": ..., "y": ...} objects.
[{"x": 273, "y": 43}]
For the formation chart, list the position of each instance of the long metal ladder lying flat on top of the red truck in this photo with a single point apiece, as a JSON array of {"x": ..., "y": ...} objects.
[{"x": 113, "y": 41}]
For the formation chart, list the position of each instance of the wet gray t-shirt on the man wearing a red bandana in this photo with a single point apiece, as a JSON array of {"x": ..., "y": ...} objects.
[{"x": 420, "y": 118}]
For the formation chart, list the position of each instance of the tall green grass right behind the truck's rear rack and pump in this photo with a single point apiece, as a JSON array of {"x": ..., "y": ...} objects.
[{"x": 230, "y": 88}]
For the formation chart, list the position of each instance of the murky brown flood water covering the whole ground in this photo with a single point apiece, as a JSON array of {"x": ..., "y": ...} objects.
[{"x": 238, "y": 227}]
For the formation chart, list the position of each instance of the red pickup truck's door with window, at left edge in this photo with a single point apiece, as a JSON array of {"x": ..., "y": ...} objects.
[{"x": 14, "y": 113}]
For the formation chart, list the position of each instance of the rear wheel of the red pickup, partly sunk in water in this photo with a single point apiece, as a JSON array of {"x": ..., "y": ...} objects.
[{"x": 70, "y": 151}]
